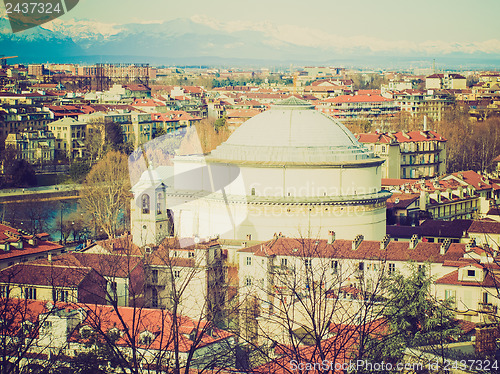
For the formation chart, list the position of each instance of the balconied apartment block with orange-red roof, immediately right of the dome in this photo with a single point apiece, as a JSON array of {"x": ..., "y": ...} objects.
[{"x": 413, "y": 154}]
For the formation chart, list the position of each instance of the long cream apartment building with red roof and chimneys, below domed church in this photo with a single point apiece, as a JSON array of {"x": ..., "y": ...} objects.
[{"x": 278, "y": 272}]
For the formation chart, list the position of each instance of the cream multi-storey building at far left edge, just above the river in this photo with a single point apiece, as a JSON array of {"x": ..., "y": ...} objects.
[{"x": 36, "y": 147}]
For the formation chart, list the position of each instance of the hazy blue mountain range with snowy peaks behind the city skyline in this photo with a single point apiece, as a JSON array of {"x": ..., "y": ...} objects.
[{"x": 198, "y": 41}]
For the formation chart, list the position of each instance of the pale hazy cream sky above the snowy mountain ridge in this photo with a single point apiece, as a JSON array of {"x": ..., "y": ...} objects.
[{"x": 445, "y": 20}]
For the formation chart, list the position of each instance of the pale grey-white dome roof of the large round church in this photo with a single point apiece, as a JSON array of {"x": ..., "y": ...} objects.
[{"x": 292, "y": 132}]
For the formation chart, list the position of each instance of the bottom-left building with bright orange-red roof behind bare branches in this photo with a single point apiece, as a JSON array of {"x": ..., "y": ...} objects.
[{"x": 62, "y": 330}]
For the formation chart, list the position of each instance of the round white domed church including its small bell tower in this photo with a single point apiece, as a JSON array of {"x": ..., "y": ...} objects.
[{"x": 289, "y": 170}]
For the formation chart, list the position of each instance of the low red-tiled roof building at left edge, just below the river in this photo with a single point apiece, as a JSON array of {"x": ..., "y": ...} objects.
[{"x": 19, "y": 246}]
